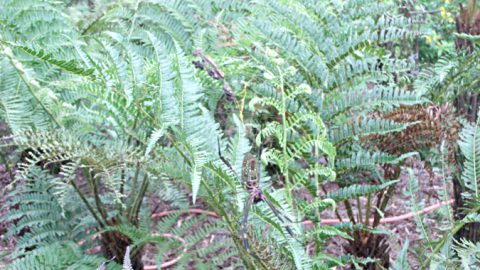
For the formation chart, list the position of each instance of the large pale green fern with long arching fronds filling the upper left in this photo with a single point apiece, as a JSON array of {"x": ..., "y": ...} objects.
[{"x": 104, "y": 114}]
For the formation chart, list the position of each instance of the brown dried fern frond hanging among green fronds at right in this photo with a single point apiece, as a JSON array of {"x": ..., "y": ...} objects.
[{"x": 436, "y": 124}]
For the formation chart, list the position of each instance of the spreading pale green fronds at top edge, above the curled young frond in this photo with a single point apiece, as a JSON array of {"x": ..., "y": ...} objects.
[{"x": 335, "y": 50}]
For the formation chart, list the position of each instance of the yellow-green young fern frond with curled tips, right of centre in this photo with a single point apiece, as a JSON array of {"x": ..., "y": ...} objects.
[{"x": 299, "y": 133}]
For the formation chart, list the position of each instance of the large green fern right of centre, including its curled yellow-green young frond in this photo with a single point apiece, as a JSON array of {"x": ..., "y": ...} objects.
[{"x": 348, "y": 76}]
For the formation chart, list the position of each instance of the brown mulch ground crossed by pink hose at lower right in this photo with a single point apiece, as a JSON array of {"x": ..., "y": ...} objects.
[{"x": 431, "y": 189}]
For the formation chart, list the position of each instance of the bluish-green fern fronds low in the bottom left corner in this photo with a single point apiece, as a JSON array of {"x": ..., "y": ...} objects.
[{"x": 50, "y": 232}]
